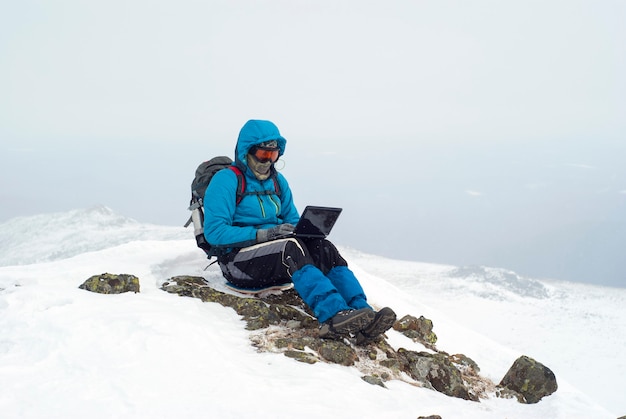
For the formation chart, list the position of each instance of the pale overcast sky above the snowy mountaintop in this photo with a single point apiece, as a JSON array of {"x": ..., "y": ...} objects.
[{"x": 483, "y": 132}]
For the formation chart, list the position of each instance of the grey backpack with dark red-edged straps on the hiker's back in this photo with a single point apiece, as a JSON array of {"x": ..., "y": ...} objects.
[{"x": 204, "y": 174}]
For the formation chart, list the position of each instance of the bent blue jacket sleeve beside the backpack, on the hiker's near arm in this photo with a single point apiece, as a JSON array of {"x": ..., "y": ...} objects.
[{"x": 219, "y": 211}]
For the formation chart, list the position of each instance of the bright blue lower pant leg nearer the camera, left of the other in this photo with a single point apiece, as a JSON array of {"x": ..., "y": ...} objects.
[{"x": 318, "y": 292}]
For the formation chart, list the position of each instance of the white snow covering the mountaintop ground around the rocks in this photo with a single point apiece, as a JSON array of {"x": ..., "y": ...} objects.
[{"x": 66, "y": 352}]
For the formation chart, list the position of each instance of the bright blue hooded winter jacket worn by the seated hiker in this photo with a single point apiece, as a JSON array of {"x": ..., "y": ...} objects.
[{"x": 231, "y": 225}]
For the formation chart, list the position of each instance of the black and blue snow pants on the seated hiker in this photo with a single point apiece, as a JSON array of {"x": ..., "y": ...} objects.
[{"x": 319, "y": 273}]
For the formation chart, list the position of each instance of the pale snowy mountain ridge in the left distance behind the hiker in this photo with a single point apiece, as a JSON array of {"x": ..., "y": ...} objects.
[{"x": 63, "y": 235}]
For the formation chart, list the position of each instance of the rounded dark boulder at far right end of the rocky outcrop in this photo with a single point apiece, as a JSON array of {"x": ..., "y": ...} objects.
[{"x": 530, "y": 378}]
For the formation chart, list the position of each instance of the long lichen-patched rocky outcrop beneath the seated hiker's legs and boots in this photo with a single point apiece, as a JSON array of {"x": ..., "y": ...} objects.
[{"x": 282, "y": 323}]
